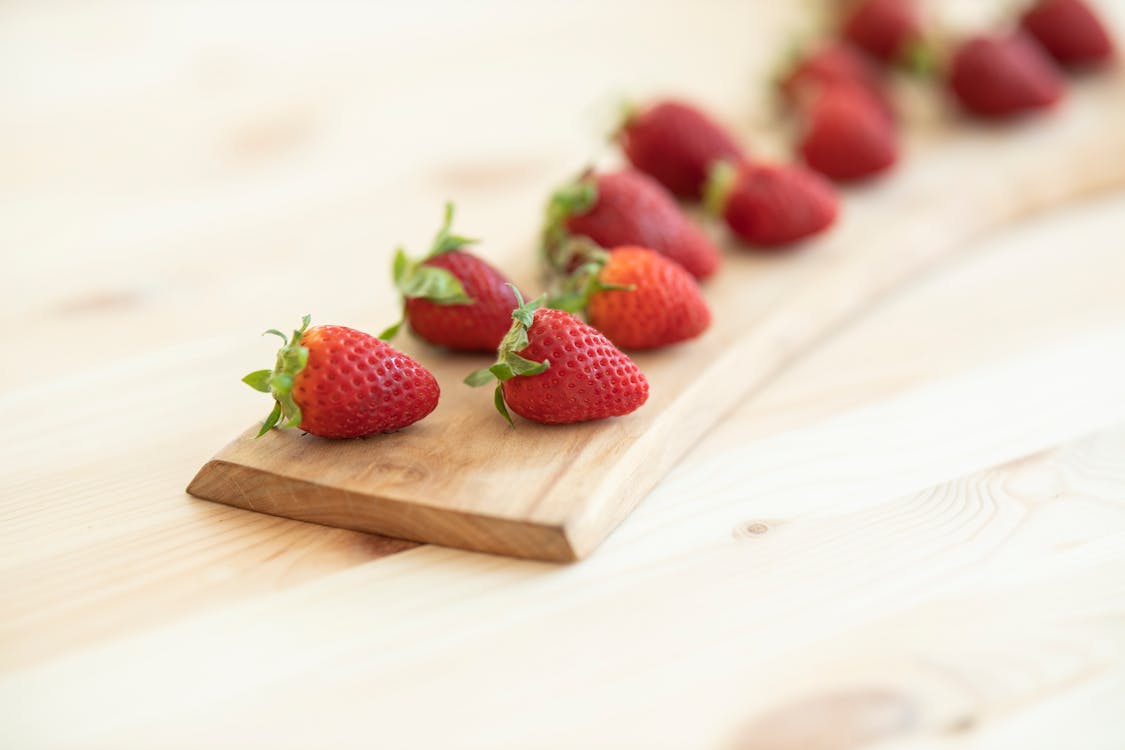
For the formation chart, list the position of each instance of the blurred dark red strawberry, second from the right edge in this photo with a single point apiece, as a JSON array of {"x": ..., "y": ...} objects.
[{"x": 1004, "y": 76}]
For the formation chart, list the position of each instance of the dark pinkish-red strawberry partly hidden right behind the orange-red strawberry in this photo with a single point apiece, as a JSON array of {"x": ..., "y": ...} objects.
[{"x": 626, "y": 209}]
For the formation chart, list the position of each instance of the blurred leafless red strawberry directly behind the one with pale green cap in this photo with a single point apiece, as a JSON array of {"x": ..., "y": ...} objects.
[{"x": 848, "y": 137}]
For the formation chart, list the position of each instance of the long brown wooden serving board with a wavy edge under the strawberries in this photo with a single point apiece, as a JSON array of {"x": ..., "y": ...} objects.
[{"x": 464, "y": 478}]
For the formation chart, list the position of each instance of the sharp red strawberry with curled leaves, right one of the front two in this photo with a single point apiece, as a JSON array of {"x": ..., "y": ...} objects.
[{"x": 555, "y": 369}]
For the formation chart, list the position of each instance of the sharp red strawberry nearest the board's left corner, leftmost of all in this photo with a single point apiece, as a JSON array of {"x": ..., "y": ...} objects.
[{"x": 340, "y": 383}]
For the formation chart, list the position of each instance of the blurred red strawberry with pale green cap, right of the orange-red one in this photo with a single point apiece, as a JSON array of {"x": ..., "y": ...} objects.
[{"x": 772, "y": 205}]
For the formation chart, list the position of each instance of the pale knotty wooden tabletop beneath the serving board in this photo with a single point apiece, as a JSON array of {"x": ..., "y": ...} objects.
[{"x": 915, "y": 539}]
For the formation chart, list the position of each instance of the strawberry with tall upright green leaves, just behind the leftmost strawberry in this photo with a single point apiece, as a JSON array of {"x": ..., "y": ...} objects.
[{"x": 452, "y": 297}]
